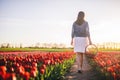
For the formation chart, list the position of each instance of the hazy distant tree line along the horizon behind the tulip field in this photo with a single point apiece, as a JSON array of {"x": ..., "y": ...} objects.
[{"x": 106, "y": 45}]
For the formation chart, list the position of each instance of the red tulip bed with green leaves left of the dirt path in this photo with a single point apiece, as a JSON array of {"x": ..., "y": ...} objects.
[{"x": 35, "y": 65}]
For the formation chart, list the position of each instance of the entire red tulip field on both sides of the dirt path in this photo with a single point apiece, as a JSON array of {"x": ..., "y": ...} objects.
[{"x": 49, "y": 65}]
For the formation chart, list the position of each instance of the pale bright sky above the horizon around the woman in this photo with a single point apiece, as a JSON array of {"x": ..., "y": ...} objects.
[{"x": 50, "y": 21}]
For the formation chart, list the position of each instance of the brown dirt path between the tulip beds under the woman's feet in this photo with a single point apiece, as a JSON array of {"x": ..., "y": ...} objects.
[{"x": 87, "y": 73}]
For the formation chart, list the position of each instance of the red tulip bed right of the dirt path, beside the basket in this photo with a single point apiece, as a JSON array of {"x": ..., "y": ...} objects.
[{"x": 107, "y": 64}]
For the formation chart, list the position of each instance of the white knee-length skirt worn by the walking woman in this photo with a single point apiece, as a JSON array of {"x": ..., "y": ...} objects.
[{"x": 80, "y": 43}]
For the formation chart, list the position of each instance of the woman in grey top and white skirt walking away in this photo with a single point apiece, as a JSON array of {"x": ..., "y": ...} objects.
[{"x": 80, "y": 38}]
